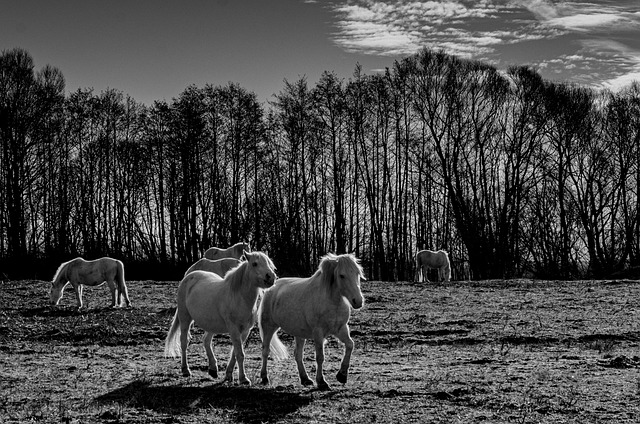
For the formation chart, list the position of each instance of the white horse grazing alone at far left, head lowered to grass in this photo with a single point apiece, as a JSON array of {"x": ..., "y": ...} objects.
[{"x": 79, "y": 272}]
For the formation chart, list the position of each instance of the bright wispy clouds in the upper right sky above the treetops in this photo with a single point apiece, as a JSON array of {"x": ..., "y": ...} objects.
[{"x": 548, "y": 31}]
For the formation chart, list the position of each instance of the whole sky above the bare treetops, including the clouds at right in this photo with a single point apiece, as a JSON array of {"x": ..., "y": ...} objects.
[{"x": 154, "y": 49}]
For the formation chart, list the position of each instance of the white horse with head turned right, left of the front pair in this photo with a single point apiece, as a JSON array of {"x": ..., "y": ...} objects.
[{"x": 220, "y": 306}]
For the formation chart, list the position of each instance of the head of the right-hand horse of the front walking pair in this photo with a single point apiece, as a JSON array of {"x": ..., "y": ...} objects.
[{"x": 345, "y": 273}]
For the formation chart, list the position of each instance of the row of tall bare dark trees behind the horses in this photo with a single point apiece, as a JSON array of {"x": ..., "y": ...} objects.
[{"x": 509, "y": 172}]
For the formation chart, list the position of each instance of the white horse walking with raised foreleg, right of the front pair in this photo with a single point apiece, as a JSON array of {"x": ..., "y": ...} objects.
[{"x": 312, "y": 308}]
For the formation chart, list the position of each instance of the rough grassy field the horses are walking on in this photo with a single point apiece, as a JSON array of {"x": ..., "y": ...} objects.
[{"x": 518, "y": 351}]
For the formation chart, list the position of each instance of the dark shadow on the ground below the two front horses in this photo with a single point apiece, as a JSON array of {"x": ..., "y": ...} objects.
[{"x": 248, "y": 404}]
